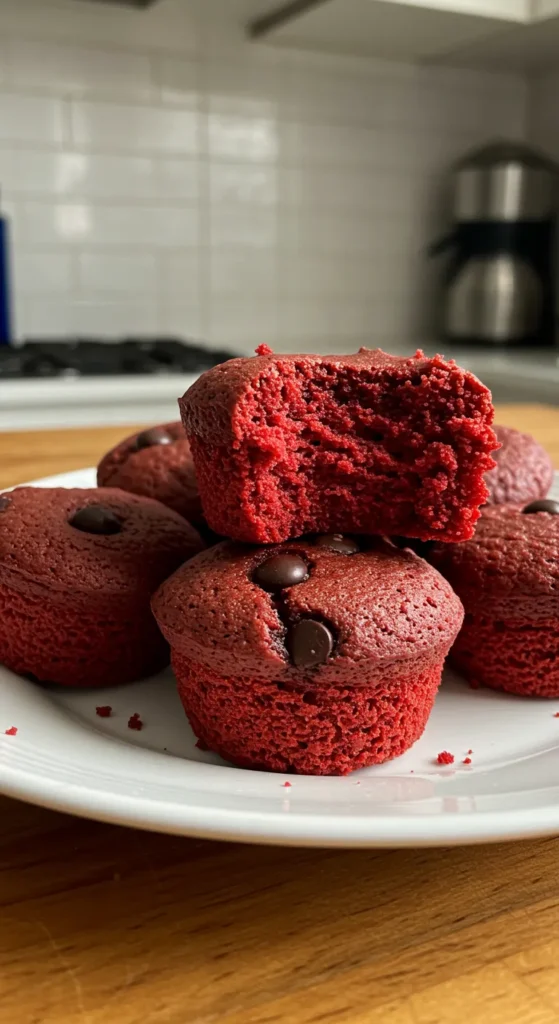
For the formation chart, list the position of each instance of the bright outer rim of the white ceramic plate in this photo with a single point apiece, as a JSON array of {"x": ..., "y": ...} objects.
[{"x": 277, "y": 826}]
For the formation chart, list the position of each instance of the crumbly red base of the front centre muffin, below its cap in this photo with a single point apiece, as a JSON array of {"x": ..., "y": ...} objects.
[{"x": 331, "y": 731}]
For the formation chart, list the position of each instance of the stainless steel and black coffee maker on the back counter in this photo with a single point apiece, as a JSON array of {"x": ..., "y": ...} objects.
[{"x": 500, "y": 280}]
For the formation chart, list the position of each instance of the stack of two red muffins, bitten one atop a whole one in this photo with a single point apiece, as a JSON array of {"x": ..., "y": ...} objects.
[{"x": 309, "y": 642}]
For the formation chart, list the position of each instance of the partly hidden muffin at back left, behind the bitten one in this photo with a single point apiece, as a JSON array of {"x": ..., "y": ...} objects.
[{"x": 156, "y": 463}]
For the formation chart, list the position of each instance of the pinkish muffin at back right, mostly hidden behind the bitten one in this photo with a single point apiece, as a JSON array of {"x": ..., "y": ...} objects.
[{"x": 524, "y": 472}]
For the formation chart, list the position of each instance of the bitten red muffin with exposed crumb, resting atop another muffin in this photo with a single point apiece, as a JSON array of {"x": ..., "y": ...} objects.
[{"x": 366, "y": 444}]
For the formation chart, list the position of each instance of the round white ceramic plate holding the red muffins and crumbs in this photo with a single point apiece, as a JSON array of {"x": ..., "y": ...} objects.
[{"x": 66, "y": 757}]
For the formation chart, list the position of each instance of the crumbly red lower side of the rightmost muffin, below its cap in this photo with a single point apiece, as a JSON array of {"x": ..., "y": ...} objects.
[{"x": 519, "y": 656}]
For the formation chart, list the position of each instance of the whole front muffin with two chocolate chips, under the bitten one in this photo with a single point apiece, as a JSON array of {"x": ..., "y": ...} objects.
[{"x": 313, "y": 657}]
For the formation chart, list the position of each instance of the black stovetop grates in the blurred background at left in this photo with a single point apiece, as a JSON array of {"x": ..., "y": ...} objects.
[{"x": 92, "y": 358}]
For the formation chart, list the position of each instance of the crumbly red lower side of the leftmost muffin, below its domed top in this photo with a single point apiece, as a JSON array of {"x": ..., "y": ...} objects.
[{"x": 75, "y": 645}]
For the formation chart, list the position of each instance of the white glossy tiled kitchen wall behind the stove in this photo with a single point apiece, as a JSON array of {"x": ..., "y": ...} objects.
[{"x": 163, "y": 176}]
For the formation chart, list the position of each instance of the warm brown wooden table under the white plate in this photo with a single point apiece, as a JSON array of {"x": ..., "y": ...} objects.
[{"x": 101, "y": 925}]
